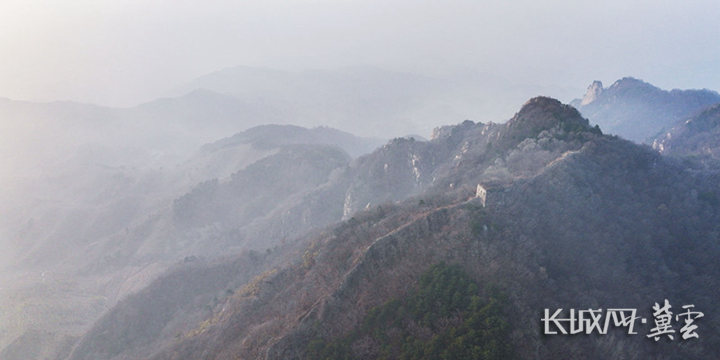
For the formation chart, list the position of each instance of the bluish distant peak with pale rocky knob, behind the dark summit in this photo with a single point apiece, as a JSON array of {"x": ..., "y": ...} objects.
[{"x": 638, "y": 111}]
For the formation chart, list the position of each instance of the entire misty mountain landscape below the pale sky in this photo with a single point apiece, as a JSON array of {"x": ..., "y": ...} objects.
[{"x": 262, "y": 214}]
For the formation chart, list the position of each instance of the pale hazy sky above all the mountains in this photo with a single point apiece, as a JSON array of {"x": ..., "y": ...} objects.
[{"x": 124, "y": 52}]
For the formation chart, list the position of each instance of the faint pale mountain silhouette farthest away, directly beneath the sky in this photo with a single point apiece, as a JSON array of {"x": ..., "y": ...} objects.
[{"x": 365, "y": 100}]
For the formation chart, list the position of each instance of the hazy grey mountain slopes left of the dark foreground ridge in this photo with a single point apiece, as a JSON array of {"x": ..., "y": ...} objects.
[{"x": 104, "y": 220}]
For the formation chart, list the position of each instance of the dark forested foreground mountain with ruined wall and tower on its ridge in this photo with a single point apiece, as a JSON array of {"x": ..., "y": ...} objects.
[{"x": 572, "y": 219}]
